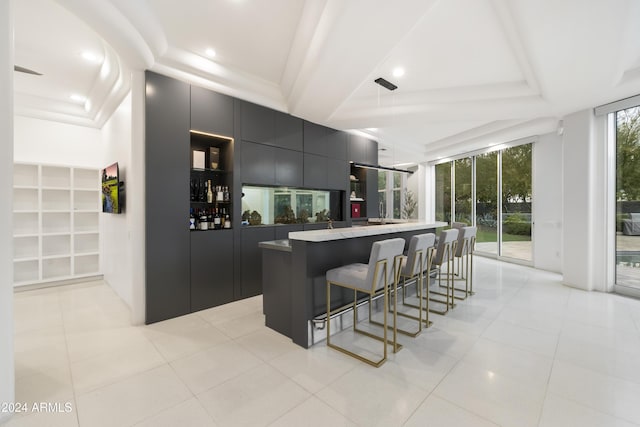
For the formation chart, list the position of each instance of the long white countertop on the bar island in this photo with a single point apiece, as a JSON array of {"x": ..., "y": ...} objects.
[{"x": 351, "y": 232}]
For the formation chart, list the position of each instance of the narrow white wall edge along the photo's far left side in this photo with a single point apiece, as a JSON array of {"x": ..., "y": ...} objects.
[{"x": 7, "y": 373}]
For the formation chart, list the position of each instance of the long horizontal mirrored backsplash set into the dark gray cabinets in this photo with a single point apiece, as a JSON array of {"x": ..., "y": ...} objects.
[{"x": 290, "y": 205}]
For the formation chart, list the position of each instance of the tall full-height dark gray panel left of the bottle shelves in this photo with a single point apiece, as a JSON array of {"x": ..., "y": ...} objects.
[{"x": 167, "y": 198}]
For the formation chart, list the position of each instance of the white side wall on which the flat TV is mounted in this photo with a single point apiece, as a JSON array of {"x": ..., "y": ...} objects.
[{"x": 115, "y": 229}]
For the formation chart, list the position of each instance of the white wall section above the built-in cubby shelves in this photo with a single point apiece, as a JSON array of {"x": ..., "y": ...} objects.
[{"x": 44, "y": 141}]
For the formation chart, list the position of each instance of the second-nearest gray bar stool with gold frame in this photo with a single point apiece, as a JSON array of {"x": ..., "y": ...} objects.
[{"x": 414, "y": 267}]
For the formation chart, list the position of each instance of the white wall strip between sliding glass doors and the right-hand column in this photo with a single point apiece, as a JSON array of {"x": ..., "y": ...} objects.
[{"x": 547, "y": 202}]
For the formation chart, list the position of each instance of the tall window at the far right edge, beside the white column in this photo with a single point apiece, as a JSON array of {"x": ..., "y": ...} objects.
[{"x": 628, "y": 197}]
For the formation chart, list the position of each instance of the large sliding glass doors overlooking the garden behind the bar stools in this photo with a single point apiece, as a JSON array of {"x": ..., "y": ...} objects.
[{"x": 493, "y": 192}]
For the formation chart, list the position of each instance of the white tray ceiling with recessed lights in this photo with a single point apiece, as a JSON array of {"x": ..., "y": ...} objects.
[{"x": 478, "y": 72}]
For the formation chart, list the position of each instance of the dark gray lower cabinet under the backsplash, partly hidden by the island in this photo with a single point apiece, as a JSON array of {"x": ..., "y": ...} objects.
[{"x": 251, "y": 281}]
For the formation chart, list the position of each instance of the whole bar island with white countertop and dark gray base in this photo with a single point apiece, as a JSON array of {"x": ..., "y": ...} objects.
[{"x": 293, "y": 271}]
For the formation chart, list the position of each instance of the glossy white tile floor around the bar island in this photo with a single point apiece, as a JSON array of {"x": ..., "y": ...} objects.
[{"x": 524, "y": 351}]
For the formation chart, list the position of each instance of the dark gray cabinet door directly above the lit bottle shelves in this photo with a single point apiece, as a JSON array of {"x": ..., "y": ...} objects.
[{"x": 211, "y": 112}]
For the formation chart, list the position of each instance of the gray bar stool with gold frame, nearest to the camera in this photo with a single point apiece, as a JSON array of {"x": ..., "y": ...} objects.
[{"x": 378, "y": 275}]
